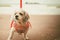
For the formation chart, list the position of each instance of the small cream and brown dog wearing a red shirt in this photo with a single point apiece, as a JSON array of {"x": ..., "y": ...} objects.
[{"x": 20, "y": 24}]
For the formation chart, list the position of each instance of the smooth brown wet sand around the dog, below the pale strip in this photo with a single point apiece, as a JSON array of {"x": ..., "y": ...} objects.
[{"x": 44, "y": 27}]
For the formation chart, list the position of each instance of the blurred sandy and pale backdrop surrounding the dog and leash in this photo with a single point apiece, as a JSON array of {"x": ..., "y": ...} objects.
[{"x": 44, "y": 17}]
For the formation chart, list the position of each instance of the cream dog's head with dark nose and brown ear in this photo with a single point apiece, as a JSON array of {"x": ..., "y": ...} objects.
[{"x": 21, "y": 16}]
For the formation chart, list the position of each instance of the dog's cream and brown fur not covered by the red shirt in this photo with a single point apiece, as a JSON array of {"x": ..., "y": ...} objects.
[{"x": 20, "y": 18}]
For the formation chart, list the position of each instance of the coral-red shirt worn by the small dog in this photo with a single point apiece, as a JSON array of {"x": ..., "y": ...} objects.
[{"x": 19, "y": 27}]
